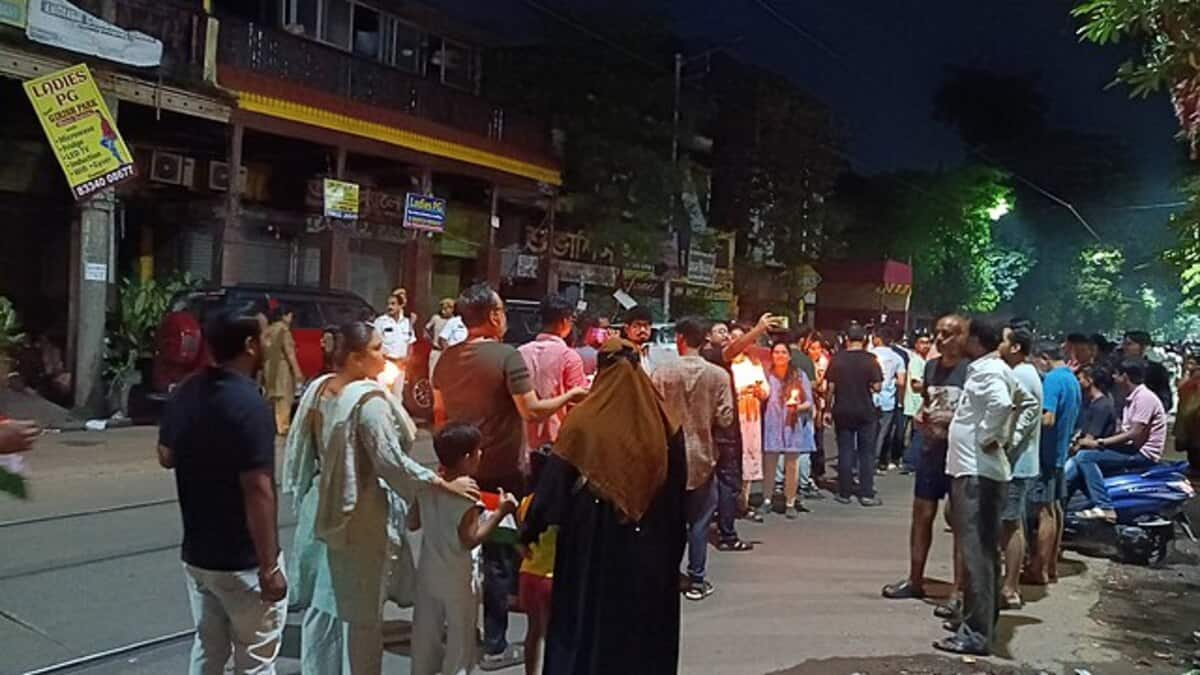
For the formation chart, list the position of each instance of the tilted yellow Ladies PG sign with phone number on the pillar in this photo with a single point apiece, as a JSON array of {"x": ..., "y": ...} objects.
[{"x": 81, "y": 130}]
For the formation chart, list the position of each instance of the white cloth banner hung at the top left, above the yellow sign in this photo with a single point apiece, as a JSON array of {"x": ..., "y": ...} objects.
[{"x": 62, "y": 25}]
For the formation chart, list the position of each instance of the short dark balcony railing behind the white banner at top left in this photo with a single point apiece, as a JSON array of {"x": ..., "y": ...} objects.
[{"x": 181, "y": 27}]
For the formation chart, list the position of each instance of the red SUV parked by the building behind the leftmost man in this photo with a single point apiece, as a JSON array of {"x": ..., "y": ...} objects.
[{"x": 182, "y": 350}]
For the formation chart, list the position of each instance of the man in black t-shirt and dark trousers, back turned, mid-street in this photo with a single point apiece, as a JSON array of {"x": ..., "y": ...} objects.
[{"x": 854, "y": 379}]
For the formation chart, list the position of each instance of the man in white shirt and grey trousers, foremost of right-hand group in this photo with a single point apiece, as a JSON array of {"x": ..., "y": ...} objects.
[{"x": 980, "y": 439}]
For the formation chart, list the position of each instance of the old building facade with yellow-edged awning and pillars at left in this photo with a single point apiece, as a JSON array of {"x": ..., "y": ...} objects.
[{"x": 385, "y": 95}]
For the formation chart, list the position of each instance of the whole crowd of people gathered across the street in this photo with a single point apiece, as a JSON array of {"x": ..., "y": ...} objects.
[{"x": 577, "y": 471}]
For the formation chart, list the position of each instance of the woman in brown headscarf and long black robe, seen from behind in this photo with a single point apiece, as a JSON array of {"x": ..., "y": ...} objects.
[{"x": 615, "y": 488}]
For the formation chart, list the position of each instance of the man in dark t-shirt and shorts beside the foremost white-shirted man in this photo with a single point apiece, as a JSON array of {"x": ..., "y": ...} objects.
[{"x": 943, "y": 387}]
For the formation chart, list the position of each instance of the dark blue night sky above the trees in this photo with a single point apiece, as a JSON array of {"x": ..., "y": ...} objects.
[{"x": 887, "y": 61}]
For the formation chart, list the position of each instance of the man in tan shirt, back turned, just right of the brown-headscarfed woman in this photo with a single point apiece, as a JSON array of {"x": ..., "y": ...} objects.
[{"x": 699, "y": 396}]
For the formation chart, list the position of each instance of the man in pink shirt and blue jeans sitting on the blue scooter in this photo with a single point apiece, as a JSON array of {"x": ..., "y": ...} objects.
[{"x": 1139, "y": 445}]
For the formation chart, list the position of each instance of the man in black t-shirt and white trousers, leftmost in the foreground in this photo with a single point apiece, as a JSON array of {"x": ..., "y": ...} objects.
[{"x": 219, "y": 435}]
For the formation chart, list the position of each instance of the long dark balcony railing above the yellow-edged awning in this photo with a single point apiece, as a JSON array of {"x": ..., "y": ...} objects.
[{"x": 305, "y": 63}]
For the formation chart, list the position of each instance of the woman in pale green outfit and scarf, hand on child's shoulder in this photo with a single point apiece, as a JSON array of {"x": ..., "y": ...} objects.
[{"x": 349, "y": 470}]
